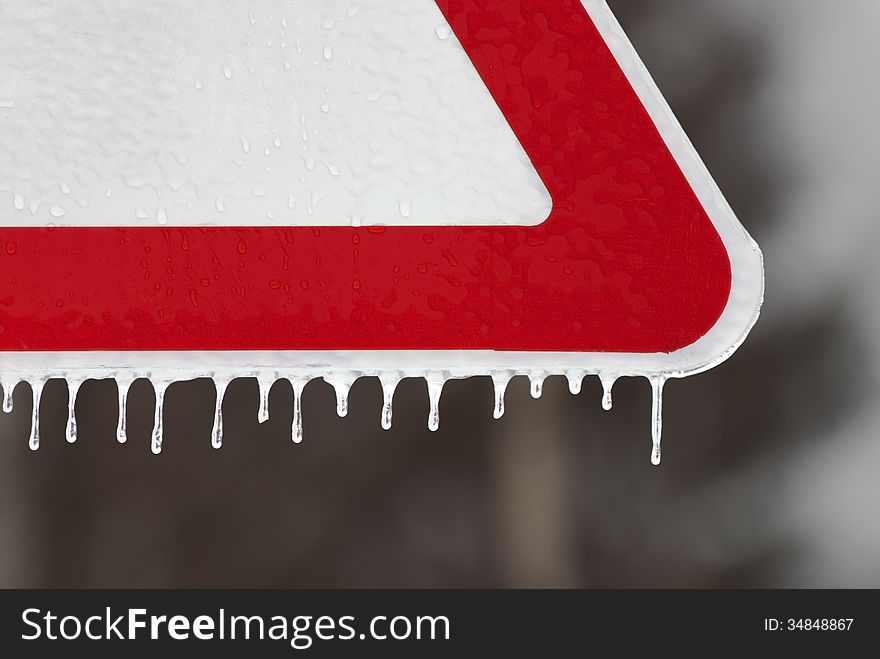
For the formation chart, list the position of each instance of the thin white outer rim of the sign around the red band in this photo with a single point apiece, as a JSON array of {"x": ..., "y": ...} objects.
[{"x": 722, "y": 340}]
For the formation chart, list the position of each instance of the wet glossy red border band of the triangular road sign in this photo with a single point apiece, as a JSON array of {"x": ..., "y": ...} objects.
[{"x": 627, "y": 261}]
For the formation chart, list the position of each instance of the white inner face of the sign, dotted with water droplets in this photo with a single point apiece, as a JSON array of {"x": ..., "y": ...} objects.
[{"x": 267, "y": 112}]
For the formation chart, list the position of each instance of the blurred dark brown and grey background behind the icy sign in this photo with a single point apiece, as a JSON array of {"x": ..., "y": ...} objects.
[{"x": 770, "y": 462}]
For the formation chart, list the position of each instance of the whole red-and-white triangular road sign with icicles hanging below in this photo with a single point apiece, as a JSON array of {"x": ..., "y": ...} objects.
[{"x": 429, "y": 189}]
